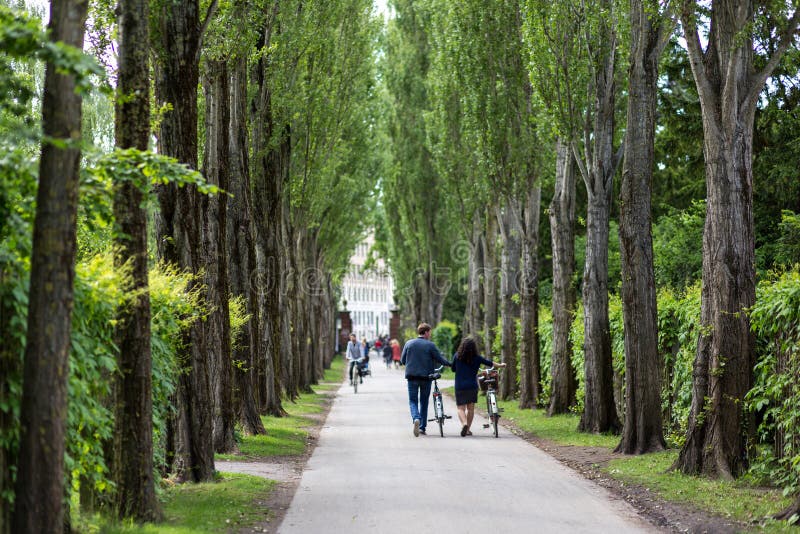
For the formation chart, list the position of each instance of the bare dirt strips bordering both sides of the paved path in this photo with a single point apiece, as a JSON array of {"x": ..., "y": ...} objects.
[{"x": 587, "y": 461}]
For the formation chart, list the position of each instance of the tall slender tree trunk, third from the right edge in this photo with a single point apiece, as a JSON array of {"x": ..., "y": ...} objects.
[{"x": 599, "y": 413}]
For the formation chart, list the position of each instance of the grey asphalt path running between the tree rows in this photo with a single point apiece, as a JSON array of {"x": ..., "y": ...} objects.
[{"x": 370, "y": 474}]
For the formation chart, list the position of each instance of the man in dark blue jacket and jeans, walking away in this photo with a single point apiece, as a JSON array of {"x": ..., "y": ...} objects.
[{"x": 419, "y": 356}]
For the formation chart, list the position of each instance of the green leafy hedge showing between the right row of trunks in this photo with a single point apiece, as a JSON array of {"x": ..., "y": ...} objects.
[{"x": 774, "y": 399}]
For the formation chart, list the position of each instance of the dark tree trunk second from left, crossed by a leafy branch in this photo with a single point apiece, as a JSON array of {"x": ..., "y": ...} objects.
[{"x": 132, "y": 465}]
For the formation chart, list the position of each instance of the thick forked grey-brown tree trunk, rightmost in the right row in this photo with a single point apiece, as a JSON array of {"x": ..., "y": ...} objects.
[{"x": 729, "y": 89}]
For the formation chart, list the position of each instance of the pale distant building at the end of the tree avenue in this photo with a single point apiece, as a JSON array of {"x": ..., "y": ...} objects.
[{"x": 368, "y": 294}]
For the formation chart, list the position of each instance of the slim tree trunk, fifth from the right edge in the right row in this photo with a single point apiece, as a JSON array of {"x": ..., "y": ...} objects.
[{"x": 530, "y": 373}]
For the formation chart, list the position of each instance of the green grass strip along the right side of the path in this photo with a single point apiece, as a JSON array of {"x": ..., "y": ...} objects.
[{"x": 738, "y": 500}]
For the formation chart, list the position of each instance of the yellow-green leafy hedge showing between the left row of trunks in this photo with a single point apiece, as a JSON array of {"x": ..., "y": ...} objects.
[{"x": 90, "y": 421}]
